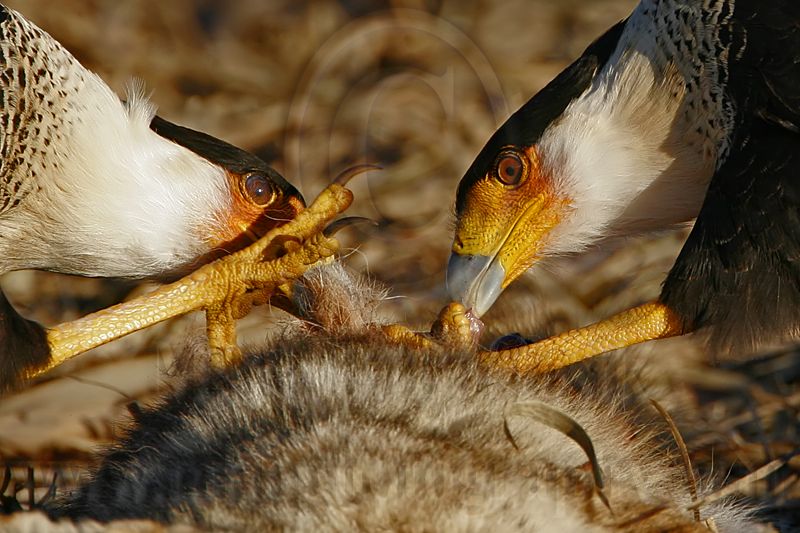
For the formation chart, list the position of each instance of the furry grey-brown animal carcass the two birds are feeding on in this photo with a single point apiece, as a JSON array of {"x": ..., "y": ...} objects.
[{"x": 340, "y": 430}]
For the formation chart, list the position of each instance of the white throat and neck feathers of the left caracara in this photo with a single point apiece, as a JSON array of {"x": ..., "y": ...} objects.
[{"x": 134, "y": 203}]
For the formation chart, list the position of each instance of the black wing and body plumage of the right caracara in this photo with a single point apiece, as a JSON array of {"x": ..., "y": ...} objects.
[{"x": 739, "y": 271}]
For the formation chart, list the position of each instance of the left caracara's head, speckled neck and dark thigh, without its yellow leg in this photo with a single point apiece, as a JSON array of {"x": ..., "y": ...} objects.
[{"x": 95, "y": 186}]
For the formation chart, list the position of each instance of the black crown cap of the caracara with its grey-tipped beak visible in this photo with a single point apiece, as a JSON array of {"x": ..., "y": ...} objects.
[{"x": 528, "y": 123}]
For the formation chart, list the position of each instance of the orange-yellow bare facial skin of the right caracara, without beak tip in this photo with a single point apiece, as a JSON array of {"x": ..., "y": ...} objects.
[{"x": 509, "y": 219}]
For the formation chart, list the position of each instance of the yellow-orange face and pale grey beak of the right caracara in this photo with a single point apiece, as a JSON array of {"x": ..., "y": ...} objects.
[{"x": 503, "y": 222}]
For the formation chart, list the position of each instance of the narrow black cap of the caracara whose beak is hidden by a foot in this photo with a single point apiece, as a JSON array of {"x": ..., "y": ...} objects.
[{"x": 219, "y": 152}]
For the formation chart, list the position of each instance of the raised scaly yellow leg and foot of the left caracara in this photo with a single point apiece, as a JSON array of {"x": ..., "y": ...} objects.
[{"x": 220, "y": 287}]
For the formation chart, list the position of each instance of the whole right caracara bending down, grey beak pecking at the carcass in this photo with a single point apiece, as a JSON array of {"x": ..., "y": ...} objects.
[{"x": 685, "y": 109}]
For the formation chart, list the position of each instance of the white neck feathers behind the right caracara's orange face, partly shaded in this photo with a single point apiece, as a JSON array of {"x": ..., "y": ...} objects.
[{"x": 625, "y": 153}]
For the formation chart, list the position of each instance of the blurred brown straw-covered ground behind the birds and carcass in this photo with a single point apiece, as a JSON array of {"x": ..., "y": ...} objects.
[{"x": 417, "y": 87}]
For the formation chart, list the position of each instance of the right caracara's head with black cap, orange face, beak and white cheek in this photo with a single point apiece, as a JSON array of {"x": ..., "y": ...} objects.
[{"x": 532, "y": 190}]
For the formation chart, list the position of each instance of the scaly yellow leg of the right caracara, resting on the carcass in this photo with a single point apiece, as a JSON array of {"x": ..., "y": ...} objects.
[{"x": 643, "y": 323}]
